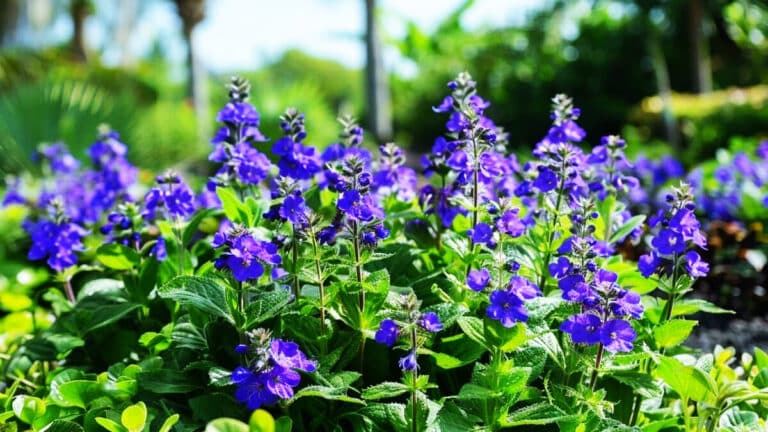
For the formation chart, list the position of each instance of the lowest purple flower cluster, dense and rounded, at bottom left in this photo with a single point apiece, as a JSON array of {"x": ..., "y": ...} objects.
[{"x": 270, "y": 373}]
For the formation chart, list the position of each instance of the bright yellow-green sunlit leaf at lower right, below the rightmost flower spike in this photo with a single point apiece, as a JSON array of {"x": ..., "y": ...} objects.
[{"x": 687, "y": 381}]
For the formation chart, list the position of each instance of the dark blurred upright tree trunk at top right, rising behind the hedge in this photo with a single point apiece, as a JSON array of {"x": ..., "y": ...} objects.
[{"x": 700, "y": 59}]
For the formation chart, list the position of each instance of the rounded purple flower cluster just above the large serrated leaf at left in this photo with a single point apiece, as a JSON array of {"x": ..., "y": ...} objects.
[{"x": 244, "y": 255}]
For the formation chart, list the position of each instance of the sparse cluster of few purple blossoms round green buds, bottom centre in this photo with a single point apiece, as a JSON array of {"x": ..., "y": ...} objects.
[{"x": 408, "y": 321}]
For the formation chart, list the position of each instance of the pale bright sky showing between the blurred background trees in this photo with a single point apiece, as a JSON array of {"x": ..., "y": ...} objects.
[{"x": 243, "y": 34}]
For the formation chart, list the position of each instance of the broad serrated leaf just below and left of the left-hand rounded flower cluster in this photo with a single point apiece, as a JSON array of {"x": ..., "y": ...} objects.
[{"x": 202, "y": 293}]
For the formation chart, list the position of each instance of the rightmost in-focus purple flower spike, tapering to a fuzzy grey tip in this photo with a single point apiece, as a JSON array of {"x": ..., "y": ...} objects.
[{"x": 678, "y": 233}]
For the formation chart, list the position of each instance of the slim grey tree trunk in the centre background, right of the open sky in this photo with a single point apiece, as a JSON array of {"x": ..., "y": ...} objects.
[{"x": 376, "y": 85}]
